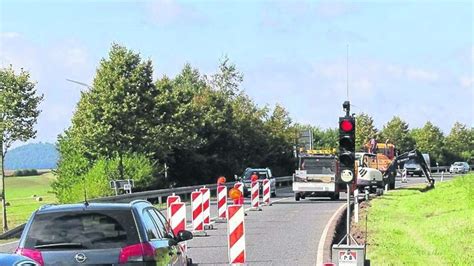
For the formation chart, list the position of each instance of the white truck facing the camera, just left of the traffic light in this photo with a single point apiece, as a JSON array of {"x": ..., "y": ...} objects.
[{"x": 316, "y": 176}]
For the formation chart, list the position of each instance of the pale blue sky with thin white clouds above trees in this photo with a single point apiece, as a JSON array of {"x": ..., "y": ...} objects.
[{"x": 413, "y": 59}]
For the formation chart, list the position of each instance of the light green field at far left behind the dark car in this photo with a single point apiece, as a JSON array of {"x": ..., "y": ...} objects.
[{"x": 19, "y": 193}]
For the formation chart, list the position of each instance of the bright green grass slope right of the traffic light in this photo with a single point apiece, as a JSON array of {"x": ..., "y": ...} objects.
[{"x": 410, "y": 227}]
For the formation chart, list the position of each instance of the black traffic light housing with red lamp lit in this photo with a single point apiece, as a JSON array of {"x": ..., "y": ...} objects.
[{"x": 347, "y": 148}]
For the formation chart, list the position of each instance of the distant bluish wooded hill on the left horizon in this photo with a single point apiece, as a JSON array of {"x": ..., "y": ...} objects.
[{"x": 32, "y": 156}]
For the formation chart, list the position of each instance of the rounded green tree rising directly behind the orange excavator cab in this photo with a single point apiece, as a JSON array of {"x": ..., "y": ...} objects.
[{"x": 397, "y": 132}]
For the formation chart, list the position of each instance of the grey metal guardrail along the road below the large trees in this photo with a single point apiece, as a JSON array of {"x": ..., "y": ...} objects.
[{"x": 158, "y": 195}]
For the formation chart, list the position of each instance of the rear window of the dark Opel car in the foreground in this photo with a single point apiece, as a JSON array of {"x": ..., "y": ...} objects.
[{"x": 82, "y": 229}]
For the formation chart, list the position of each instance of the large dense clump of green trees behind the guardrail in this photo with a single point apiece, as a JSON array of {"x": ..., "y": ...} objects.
[{"x": 175, "y": 131}]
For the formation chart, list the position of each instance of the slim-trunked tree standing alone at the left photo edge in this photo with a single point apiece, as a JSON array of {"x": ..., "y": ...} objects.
[{"x": 18, "y": 114}]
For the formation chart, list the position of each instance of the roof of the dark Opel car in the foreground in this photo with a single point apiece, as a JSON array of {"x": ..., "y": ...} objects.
[{"x": 90, "y": 206}]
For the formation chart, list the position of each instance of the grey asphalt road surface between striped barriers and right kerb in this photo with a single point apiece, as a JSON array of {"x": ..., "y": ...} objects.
[{"x": 286, "y": 233}]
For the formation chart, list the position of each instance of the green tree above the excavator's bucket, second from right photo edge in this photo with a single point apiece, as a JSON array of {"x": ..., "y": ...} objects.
[{"x": 429, "y": 139}]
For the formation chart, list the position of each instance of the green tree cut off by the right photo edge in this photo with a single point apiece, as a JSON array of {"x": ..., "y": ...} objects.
[{"x": 460, "y": 141}]
